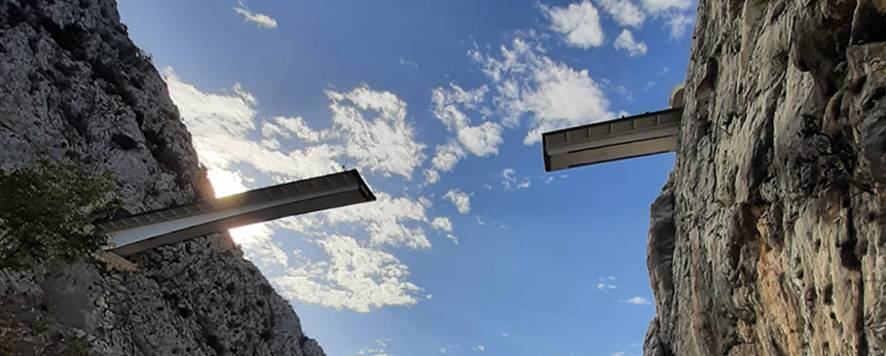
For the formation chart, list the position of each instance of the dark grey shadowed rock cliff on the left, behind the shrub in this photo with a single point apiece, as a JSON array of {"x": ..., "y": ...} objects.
[{"x": 73, "y": 86}]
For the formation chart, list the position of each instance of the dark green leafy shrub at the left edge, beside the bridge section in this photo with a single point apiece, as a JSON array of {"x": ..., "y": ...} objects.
[{"x": 47, "y": 211}]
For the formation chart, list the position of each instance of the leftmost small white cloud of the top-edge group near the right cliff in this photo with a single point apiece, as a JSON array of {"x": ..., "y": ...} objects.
[{"x": 579, "y": 23}]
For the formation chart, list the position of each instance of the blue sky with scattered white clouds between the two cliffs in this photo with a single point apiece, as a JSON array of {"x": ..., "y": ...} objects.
[{"x": 471, "y": 248}]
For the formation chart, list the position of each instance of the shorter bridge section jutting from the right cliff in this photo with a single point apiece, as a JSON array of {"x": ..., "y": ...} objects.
[{"x": 623, "y": 138}]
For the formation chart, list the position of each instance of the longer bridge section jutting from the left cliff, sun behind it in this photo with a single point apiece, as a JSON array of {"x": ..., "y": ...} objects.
[{"x": 151, "y": 229}]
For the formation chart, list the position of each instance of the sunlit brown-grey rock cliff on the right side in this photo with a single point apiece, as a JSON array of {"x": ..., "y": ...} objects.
[{"x": 769, "y": 237}]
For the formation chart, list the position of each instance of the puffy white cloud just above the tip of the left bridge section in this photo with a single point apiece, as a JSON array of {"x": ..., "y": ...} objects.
[{"x": 384, "y": 144}]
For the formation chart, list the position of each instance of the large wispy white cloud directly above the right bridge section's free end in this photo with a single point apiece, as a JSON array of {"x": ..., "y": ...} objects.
[{"x": 552, "y": 93}]
